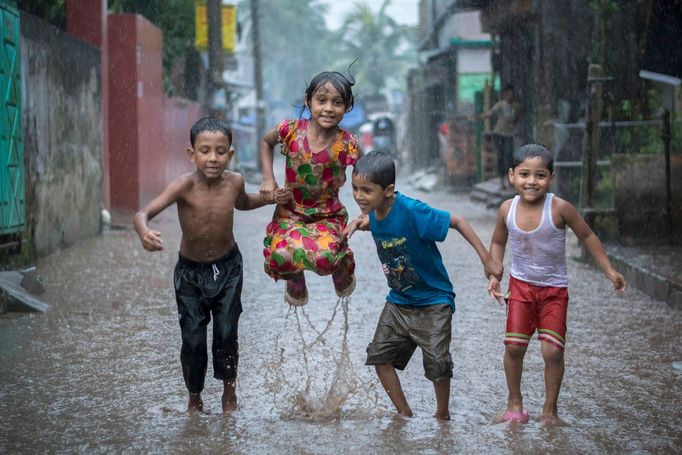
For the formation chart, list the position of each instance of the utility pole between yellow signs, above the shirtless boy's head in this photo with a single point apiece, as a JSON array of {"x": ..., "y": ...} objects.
[{"x": 215, "y": 56}]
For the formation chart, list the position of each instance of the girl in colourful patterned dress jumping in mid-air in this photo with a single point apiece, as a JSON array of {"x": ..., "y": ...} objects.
[{"x": 305, "y": 232}]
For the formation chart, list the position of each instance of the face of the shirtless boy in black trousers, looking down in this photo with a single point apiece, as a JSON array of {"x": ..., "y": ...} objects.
[{"x": 211, "y": 153}]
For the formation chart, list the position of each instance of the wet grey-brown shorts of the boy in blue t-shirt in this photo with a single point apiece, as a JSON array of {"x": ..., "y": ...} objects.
[{"x": 401, "y": 328}]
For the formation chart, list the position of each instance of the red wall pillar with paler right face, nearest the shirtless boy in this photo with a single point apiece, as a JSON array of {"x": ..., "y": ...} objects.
[{"x": 136, "y": 126}]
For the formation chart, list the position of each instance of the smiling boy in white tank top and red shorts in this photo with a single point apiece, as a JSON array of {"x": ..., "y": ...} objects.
[{"x": 535, "y": 221}]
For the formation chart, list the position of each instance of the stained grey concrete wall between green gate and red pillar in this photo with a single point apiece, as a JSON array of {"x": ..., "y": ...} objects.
[{"x": 62, "y": 135}]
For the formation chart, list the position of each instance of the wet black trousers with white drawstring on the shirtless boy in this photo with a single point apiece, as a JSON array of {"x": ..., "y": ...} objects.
[{"x": 203, "y": 289}]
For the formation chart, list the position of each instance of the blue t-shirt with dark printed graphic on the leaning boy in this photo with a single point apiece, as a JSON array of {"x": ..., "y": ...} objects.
[{"x": 406, "y": 244}]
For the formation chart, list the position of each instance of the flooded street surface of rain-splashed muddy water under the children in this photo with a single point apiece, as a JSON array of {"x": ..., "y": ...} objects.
[{"x": 100, "y": 371}]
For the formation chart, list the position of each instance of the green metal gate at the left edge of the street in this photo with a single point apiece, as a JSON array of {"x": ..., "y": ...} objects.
[{"x": 11, "y": 131}]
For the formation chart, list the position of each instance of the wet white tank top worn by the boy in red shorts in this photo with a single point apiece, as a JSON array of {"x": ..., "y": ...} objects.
[{"x": 538, "y": 256}]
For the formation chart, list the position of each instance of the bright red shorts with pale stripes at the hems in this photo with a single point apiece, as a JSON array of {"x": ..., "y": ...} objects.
[{"x": 541, "y": 308}]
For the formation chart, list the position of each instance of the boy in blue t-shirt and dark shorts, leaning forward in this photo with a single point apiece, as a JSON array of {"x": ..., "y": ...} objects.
[{"x": 419, "y": 306}]
